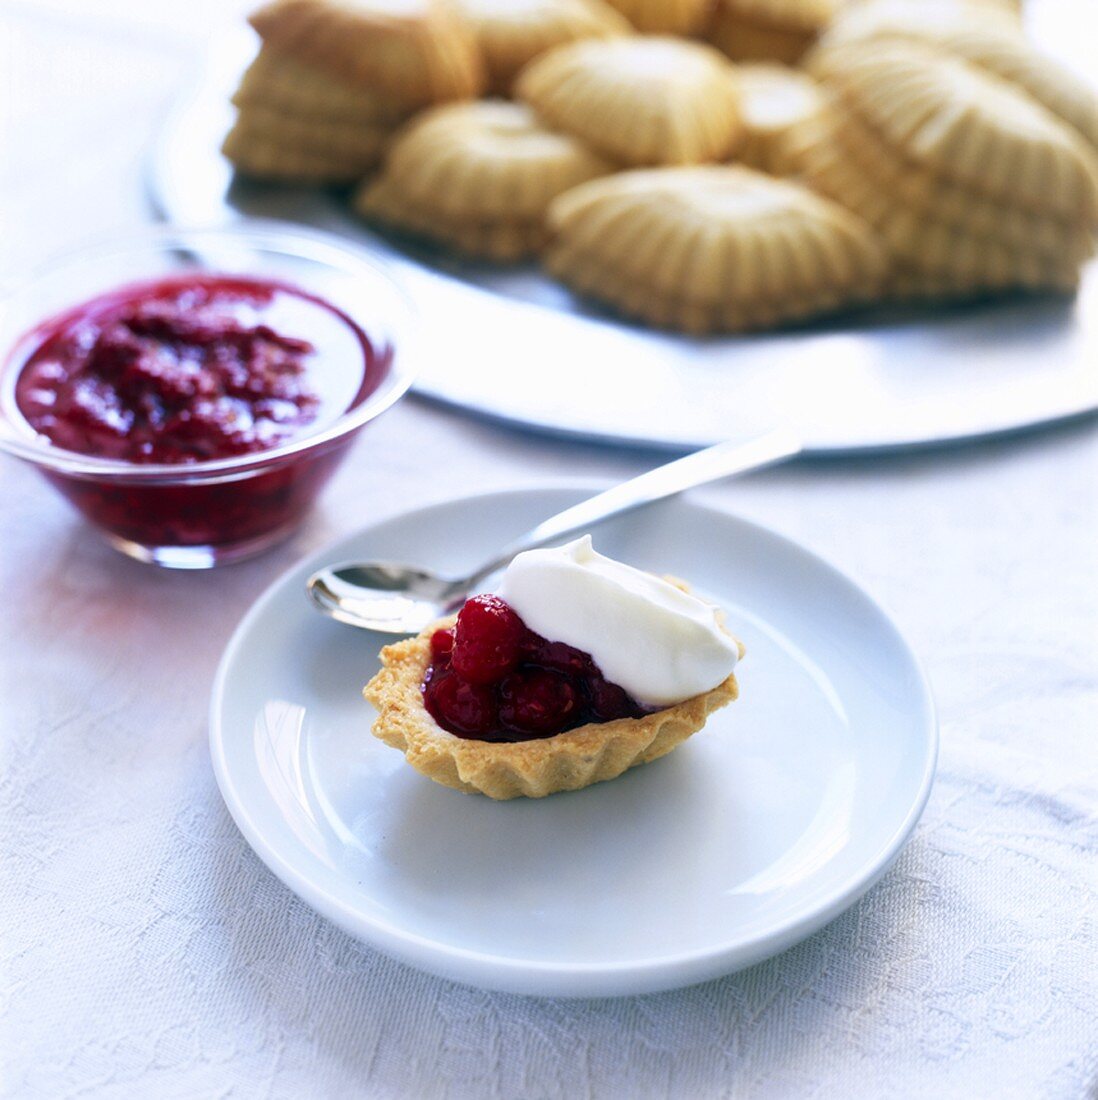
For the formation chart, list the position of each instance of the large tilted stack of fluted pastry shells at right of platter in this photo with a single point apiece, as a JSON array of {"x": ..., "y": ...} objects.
[{"x": 973, "y": 185}]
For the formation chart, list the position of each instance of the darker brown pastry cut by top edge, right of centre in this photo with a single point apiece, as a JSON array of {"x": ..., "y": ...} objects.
[{"x": 768, "y": 30}]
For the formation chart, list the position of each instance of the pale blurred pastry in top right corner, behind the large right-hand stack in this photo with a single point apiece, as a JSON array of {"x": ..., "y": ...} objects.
[{"x": 986, "y": 36}]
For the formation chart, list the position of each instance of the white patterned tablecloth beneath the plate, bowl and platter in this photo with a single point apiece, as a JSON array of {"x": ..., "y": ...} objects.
[{"x": 146, "y": 952}]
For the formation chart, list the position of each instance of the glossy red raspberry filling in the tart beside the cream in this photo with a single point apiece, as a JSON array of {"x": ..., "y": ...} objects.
[{"x": 493, "y": 679}]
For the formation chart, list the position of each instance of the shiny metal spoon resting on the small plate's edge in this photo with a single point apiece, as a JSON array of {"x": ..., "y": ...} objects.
[{"x": 397, "y": 599}]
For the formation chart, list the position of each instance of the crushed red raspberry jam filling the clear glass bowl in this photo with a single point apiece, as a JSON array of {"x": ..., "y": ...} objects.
[{"x": 190, "y": 370}]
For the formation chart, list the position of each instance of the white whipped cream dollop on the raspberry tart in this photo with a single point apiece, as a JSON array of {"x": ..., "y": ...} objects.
[{"x": 658, "y": 643}]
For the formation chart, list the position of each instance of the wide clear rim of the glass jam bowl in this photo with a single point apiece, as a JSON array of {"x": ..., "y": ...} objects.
[{"x": 265, "y": 234}]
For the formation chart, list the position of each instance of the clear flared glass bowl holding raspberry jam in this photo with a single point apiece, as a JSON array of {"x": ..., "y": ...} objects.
[{"x": 202, "y": 514}]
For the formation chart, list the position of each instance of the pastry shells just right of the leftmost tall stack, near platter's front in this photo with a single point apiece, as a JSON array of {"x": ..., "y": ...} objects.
[{"x": 478, "y": 178}]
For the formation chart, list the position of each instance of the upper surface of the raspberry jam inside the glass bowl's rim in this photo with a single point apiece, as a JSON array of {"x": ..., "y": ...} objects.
[{"x": 183, "y": 371}]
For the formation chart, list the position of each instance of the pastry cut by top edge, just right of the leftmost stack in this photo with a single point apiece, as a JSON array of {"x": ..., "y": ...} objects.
[{"x": 512, "y": 34}]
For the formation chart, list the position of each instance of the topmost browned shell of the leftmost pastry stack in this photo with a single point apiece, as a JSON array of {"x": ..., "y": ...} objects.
[{"x": 416, "y": 51}]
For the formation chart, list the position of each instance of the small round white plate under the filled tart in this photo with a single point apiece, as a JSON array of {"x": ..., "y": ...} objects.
[{"x": 751, "y": 837}]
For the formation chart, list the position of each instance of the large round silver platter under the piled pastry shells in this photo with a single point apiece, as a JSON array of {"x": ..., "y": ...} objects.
[{"x": 512, "y": 345}]
